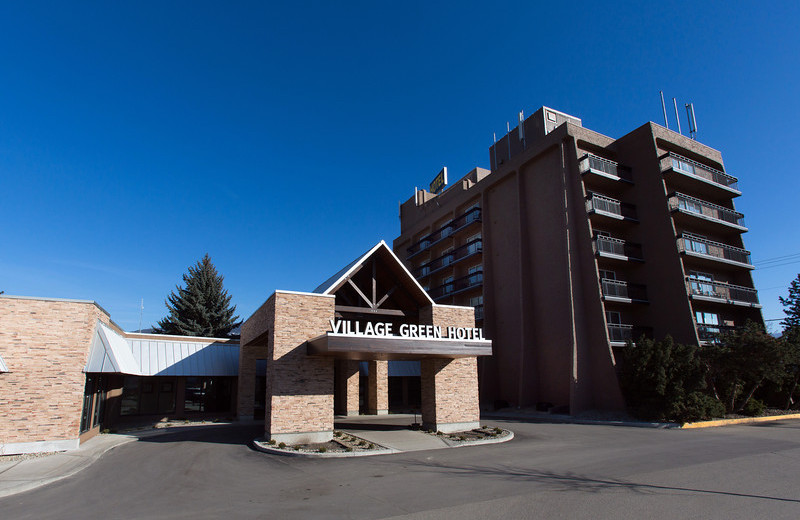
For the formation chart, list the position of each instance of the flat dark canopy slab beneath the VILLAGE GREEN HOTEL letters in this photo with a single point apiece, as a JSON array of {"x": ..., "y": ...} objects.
[{"x": 348, "y": 346}]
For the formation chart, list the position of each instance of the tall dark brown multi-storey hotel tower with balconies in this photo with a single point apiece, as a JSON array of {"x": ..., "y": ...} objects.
[{"x": 575, "y": 243}]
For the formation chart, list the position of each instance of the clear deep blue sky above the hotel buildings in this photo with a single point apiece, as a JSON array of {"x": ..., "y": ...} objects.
[{"x": 279, "y": 137}]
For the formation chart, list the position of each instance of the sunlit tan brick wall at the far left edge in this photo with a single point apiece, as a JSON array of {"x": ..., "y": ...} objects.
[{"x": 45, "y": 344}]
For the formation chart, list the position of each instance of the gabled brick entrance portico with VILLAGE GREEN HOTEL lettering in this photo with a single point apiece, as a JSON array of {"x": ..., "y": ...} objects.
[{"x": 367, "y": 341}]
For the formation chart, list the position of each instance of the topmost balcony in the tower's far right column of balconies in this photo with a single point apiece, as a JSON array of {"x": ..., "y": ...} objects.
[{"x": 693, "y": 176}]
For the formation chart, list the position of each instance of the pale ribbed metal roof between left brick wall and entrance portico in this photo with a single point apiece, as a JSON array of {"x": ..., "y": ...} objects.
[{"x": 113, "y": 353}]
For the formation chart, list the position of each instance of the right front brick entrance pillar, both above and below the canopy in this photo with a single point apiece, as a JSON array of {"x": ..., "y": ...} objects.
[{"x": 449, "y": 386}]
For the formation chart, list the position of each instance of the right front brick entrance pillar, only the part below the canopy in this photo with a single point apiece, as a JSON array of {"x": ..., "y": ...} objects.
[{"x": 450, "y": 394}]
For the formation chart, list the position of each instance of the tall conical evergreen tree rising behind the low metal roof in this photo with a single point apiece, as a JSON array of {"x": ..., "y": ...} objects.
[{"x": 202, "y": 308}]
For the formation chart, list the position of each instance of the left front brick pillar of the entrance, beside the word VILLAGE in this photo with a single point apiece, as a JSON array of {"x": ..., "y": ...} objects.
[{"x": 300, "y": 408}]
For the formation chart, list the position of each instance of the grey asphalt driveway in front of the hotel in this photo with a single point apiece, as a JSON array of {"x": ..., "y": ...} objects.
[{"x": 547, "y": 471}]
